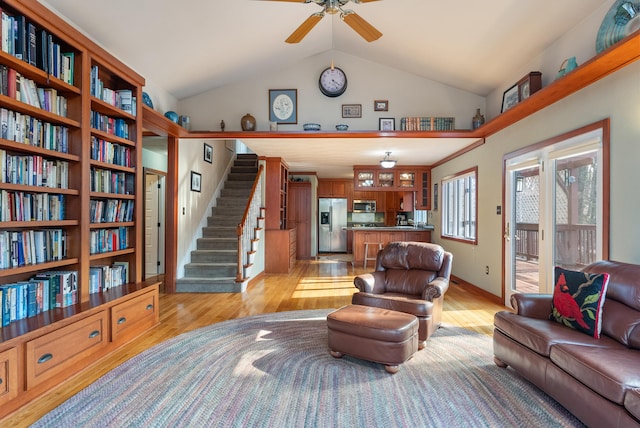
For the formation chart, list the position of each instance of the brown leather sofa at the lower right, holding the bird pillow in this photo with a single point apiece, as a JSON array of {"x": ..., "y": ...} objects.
[{"x": 598, "y": 380}]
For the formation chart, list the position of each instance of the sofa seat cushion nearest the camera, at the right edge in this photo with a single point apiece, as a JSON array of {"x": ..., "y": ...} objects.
[{"x": 607, "y": 367}]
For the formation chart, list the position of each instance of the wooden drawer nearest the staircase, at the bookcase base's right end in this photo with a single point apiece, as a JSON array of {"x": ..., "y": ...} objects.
[{"x": 133, "y": 317}]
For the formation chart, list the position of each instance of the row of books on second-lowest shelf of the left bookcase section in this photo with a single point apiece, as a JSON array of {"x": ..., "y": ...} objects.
[{"x": 27, "y": 247}]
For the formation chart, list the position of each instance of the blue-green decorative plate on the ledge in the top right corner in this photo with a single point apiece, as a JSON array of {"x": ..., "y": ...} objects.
[{"x": 621, "y": 20}]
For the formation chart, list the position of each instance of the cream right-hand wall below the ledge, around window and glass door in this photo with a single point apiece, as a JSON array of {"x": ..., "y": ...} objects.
[{"x": 615, "y": 97}]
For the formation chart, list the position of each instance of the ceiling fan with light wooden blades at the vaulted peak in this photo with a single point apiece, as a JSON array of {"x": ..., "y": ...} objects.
[{"x": 332, "y": 7}]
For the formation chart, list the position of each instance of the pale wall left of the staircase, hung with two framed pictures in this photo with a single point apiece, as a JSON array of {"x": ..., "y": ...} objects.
[{"x": 195, "y": 207}]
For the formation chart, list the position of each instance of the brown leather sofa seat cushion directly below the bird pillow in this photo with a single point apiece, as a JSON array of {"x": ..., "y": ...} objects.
[{"x": 536, "y": 334}]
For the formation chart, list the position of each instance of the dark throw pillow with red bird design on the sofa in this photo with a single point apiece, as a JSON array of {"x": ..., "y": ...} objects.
[{"x": 578, "y": 298}]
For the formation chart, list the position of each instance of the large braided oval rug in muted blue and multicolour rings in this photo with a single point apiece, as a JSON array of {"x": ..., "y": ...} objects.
[{"x": 275, "y": 370}]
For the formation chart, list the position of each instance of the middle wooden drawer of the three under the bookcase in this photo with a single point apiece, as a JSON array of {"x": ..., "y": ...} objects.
[{"x": 66, "y": 349}]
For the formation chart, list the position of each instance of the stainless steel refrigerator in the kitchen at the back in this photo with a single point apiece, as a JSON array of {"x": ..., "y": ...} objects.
[{"x": 332, "y": 233}]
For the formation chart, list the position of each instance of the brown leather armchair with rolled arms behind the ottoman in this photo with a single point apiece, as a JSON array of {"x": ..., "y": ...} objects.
[{"x": 410, "y": 277}]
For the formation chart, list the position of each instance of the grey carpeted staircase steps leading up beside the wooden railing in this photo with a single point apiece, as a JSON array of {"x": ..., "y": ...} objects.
[{"x": 214, "y": 263}]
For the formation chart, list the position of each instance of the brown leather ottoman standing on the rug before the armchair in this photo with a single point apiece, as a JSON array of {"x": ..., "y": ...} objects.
[{"x": 373, "y": 334}]
